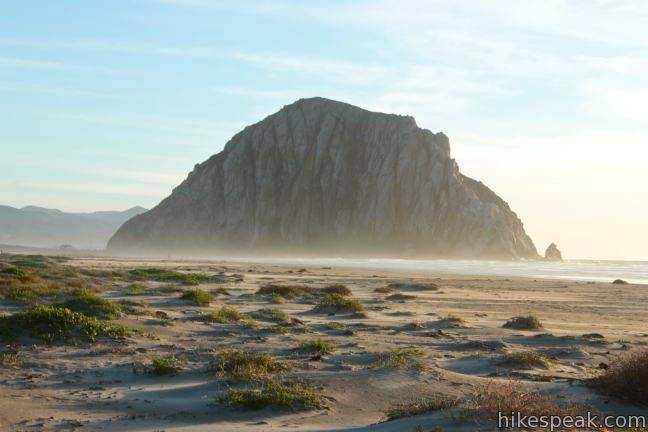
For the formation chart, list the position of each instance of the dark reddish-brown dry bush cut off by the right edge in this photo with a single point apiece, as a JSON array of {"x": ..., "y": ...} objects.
[{"x": 627, "y": 377}]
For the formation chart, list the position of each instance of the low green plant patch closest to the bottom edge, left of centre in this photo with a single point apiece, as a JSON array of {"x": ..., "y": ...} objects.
[{"x": 274, "y": 394}]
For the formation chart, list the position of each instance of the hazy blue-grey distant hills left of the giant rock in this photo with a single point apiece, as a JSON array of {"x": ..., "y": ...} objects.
[{"x": 51, "y": 228}]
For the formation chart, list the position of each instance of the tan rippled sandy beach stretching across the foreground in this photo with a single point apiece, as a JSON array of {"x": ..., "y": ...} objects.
[{"x": 415, "y": 337}]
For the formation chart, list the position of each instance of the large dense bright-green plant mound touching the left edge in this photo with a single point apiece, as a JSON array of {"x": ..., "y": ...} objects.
[{"x": 56, "y": 324}]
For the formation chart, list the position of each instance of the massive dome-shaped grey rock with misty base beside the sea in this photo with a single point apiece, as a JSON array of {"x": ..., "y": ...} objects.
[{"x": 322, "y": 177}]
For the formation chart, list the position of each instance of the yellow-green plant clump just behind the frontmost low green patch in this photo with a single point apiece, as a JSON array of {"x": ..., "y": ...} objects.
[{"x": 247, "y": 365}]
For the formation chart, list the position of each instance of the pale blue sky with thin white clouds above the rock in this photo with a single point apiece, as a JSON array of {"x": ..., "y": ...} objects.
[{"x": 108, "y": 104}]
